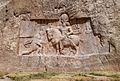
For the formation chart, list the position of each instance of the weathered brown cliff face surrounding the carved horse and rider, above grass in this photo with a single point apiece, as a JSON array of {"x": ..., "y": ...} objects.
[{"x": 21, "y": 21}]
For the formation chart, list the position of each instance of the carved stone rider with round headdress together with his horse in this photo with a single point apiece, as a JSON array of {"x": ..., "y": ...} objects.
[{"x": 63, "y": 36}]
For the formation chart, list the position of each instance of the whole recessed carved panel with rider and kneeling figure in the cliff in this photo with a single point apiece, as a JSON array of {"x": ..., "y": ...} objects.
[{"x": 63, "y": 36}]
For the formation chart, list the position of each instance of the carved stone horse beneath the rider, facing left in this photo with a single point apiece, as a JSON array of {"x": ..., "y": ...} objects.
[{"x": 60, "y": 42}]
